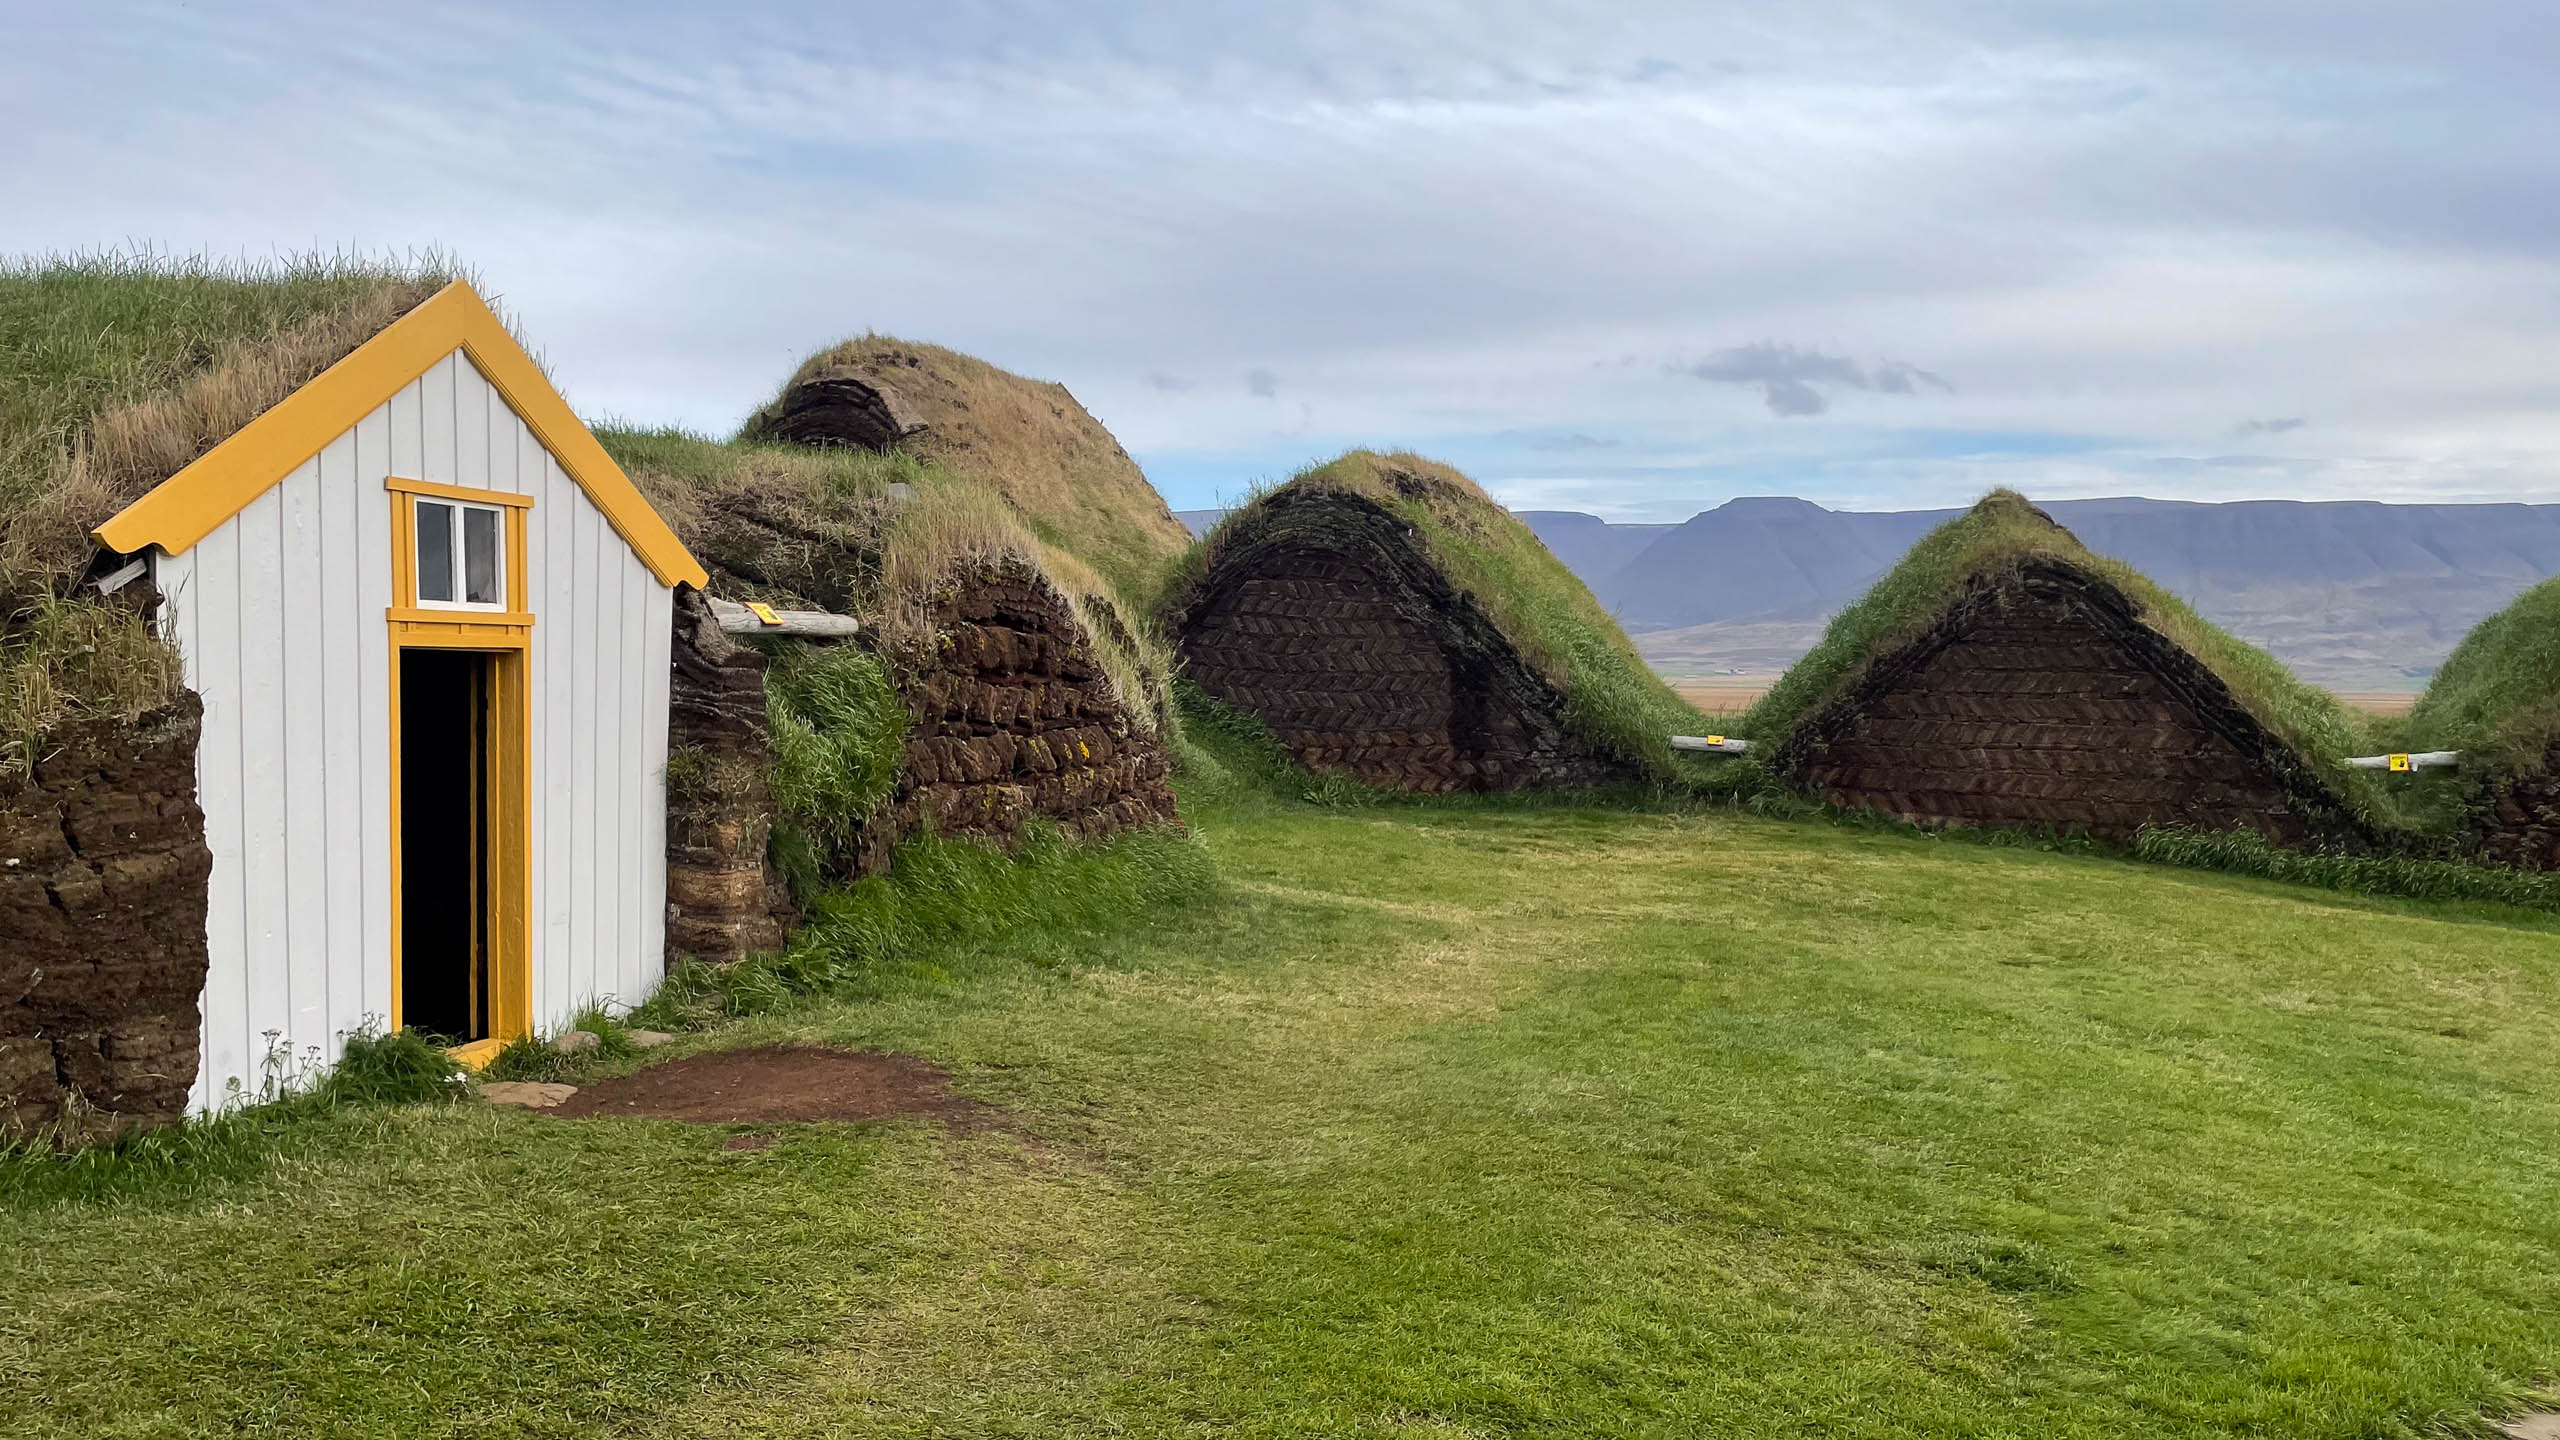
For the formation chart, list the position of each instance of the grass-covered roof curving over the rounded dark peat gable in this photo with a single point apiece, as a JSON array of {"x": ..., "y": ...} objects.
[{"x": 1614, "y": 701}]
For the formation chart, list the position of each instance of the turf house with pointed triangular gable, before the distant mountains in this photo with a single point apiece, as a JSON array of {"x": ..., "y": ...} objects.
[{"x": 2008, "y": 678}]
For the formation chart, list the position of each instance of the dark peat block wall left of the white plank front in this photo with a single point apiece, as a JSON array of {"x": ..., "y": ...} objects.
[{"x": 104, "y": 926}]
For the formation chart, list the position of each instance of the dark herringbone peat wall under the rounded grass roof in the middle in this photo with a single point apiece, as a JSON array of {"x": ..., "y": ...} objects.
[{"x": 1363, "y": 660}]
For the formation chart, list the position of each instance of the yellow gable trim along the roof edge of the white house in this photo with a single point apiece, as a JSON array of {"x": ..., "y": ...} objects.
[{"x": 196, "y": 501}]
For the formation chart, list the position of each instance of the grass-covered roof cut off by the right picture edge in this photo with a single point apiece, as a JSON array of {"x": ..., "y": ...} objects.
[{"x": 2497, "y": 696}]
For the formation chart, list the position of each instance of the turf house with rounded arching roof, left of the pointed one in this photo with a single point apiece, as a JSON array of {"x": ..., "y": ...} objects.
[{"x": 1389, "y": 621}]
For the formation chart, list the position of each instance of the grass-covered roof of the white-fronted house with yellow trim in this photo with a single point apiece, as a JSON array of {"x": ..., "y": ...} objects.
[{"x": 119, "y": 370}]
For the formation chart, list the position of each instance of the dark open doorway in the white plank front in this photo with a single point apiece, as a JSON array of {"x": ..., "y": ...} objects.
[{"x": 444, "y": 842}]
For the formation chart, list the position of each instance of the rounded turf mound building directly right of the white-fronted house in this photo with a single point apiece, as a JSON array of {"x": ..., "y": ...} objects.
[{"x": 992, "y": 680}]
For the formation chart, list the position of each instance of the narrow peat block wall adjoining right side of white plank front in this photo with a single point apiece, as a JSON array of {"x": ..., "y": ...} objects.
[{"x": 723, "y": 898}]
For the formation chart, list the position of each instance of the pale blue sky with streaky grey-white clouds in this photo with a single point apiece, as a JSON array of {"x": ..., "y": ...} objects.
[{"x": 1629, "y": 260}]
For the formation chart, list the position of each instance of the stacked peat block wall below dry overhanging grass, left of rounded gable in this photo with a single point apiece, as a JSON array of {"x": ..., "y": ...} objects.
[{"x": 1010, "y": 716}]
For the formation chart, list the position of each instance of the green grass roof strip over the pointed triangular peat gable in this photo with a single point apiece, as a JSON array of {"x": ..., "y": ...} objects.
[{"x": 2003, "y": 534}]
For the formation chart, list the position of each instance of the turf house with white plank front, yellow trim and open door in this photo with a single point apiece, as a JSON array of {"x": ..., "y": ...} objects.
[{"x": 339, "y": 685}]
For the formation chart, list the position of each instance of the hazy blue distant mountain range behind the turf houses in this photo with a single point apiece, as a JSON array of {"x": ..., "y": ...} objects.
[{"x": 2354, "y": 596}]
